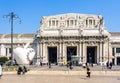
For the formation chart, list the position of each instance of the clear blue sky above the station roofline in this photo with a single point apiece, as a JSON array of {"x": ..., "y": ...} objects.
[{"x": 31, "y": 11}]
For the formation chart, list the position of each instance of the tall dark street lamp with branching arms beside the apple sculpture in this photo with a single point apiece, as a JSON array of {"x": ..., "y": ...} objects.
[{"x": 11, "y": 16}]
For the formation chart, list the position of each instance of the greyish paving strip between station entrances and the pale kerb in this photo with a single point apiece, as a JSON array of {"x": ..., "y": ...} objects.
[{"x": 75, "y": 68}]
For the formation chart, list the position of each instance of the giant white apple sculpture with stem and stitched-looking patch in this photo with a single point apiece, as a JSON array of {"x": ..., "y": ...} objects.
[{"x": 24, "y": 55}]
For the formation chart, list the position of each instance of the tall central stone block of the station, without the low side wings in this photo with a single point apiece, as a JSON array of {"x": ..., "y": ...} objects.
[{"x": 83, "y": 33}]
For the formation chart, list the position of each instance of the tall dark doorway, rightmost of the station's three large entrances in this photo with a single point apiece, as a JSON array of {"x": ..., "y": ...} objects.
[{"x": 92, "y": 54}]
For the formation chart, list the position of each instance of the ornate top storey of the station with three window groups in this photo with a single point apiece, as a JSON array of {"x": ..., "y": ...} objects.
[{"x": 72, "y": 21}]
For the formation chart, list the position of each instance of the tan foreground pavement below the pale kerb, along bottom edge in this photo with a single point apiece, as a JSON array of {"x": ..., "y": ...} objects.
[{"x": 58, "y": 79}]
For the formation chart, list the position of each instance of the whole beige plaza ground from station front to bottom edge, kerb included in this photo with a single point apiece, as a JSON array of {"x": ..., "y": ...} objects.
[{"x": 60, "y": 74}]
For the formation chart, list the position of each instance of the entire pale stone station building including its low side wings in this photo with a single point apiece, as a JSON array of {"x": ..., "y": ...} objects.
[{"x": 69, "y": 36}]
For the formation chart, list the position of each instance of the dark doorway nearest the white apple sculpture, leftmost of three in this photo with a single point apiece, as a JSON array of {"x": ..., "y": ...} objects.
[{"x": 52, "y": 54}]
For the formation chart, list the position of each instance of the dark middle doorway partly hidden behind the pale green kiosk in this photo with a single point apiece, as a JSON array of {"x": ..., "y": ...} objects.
[{"x": 71, "y": 51}]
